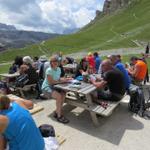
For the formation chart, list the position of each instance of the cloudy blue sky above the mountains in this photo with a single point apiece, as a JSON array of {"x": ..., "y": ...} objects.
[{"x": 48, "y": 15}]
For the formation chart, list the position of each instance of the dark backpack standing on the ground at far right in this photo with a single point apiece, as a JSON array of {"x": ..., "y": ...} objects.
[{"x": 137, "y": 100}]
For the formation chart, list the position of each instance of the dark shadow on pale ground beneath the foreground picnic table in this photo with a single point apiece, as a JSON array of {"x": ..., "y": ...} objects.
[{"x": 110, "y": 129}]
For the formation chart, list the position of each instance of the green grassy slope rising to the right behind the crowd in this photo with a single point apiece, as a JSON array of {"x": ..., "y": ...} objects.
[{"x": 115, "y": 31}]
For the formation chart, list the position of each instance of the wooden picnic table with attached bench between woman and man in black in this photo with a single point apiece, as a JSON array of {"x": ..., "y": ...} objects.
[{"x": 80, "y": 95}]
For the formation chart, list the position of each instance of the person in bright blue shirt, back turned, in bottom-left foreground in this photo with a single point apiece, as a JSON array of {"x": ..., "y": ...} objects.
[{"x": 17, "y": 128}]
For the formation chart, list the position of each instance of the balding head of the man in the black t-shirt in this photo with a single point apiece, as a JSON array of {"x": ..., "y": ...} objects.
[{"x": 106, "y": 65}]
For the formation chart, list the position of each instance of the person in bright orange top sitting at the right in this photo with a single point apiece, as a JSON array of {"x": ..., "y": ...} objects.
[{"x": 138, "y": 70}]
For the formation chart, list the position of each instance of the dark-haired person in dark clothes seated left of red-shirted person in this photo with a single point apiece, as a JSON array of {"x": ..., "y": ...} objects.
[{"x": 81, "y": 68}]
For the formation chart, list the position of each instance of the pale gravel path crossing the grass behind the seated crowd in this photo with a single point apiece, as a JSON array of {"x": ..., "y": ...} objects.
[{"x": 121, "y": 51}]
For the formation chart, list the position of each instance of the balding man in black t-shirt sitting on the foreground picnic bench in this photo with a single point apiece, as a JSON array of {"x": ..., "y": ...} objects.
[{"x": 113, "y": 79}]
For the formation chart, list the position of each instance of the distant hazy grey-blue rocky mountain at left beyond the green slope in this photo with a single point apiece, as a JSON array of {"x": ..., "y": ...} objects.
[{"x": 10, "y": 37}]
